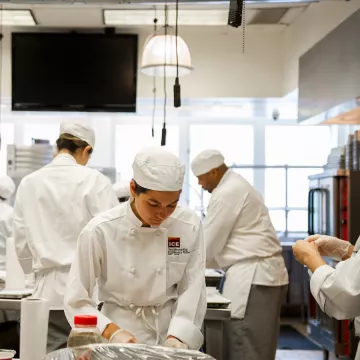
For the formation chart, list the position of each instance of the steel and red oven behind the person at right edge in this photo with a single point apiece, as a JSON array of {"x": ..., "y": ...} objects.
[{"x": 333, "y": 209}]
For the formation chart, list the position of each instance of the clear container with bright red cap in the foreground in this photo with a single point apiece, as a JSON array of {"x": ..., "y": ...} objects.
[{"x": 85, "y": 331}]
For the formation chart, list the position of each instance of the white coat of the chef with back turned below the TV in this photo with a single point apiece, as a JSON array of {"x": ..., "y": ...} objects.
[{"x": 52, "y": 206}]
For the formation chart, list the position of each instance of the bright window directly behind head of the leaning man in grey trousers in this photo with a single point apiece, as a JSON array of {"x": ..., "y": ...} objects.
[{"x": 236, "y": 142}]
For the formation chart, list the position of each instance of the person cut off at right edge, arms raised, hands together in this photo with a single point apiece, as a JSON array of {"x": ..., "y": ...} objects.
[{"x": 336, "y": 290}]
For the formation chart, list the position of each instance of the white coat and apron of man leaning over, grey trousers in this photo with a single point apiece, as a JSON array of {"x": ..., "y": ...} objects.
[{"x": 239, "y": 235}]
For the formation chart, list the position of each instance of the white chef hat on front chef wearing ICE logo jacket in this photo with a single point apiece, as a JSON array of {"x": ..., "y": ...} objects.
[{"x": 156, "y": 168}]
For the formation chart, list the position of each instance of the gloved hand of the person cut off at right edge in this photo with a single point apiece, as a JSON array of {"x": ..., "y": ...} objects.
[{"x": 330, "y": 246}]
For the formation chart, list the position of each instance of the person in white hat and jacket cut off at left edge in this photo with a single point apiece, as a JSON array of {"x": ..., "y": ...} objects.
[{"x": 7, "y": 189}]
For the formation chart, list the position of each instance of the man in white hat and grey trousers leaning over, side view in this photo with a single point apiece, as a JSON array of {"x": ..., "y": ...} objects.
[{"x": 241, "y": 239}]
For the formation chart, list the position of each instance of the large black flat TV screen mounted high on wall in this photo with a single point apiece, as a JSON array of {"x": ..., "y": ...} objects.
[{"x": 74, "y": 72}]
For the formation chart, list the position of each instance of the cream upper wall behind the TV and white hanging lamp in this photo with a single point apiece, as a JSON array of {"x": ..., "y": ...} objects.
[{"x": 221, "y": 69}]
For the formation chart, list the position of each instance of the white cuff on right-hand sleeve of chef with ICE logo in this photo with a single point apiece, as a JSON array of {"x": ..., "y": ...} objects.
[{"x": 186, "y": 332}]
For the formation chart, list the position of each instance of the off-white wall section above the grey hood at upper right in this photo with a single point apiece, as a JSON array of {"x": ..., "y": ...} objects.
[{"x": 313, "y": 24}]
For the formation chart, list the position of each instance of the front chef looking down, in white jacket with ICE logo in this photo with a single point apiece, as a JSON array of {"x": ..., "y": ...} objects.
[{"x": 148, "y": 257}]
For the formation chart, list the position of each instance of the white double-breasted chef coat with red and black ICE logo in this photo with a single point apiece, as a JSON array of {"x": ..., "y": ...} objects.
[{"x": 151, "y": 280}]
